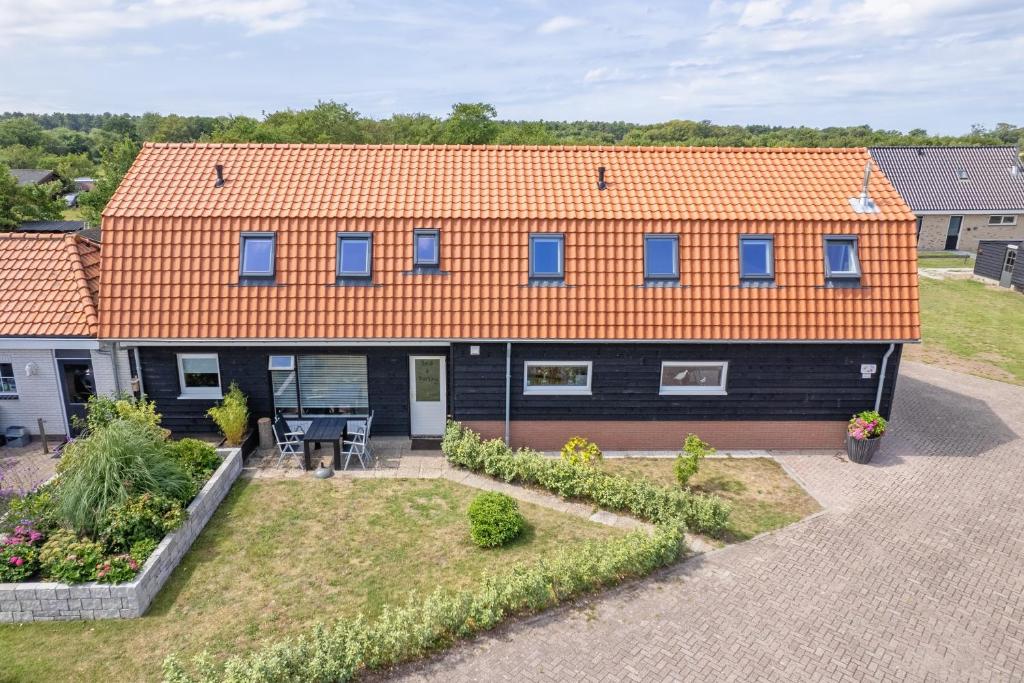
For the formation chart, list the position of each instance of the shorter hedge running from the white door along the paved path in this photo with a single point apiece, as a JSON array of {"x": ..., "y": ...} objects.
[{"x": 661, "y": 505}]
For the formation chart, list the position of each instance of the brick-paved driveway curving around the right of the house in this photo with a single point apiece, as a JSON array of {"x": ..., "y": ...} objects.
[{"x": 915, "y": 572}]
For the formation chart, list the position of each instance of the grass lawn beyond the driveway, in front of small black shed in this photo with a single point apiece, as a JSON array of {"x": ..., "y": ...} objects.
[{"x": 972, "y": 328}]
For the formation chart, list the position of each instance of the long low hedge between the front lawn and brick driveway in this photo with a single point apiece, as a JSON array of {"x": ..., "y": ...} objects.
[{"x": 340, "y": 652}]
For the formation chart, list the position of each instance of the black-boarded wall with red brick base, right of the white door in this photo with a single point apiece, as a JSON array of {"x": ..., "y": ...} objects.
[{"x": 780, "y": 396}]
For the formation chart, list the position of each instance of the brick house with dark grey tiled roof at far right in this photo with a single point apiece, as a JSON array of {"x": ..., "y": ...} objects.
[{"x": 960, "y": 195}]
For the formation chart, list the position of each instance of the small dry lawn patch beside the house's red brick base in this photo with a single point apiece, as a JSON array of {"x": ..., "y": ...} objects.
[{"x": 762, "y": 496}]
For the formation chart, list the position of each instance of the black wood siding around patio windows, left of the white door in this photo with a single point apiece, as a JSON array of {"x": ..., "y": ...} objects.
[{"x": 388, "y": 372}]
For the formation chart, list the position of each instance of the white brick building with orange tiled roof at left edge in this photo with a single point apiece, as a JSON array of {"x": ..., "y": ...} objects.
[{"x": 51, "y": 361}]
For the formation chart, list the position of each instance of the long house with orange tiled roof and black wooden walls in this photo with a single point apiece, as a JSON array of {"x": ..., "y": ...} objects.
[{"x": 630, "y": 295}]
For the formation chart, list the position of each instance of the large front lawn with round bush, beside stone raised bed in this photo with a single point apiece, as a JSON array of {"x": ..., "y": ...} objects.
[{"x": 280, "y": 557}]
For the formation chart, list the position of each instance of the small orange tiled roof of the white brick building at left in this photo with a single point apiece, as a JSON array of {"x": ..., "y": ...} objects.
[{"x": 49, "y": 286}]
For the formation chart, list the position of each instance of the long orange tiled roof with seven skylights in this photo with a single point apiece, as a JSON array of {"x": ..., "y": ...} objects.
[{"x": 172, "y": 244}]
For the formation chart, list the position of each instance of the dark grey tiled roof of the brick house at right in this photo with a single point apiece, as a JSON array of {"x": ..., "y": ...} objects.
[{"x": 929, "y": 179}]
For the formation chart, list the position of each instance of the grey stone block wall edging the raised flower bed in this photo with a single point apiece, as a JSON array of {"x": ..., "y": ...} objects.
[{"x": 35, "y": 602}]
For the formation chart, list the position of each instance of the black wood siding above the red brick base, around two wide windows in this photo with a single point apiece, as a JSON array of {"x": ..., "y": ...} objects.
[{"x": 765, "y": 382}]
